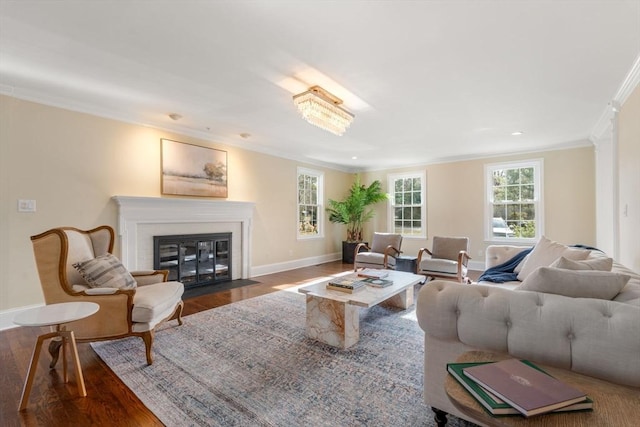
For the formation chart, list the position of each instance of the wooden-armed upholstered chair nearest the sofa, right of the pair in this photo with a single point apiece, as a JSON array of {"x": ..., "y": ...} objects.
[{"x": 447, "y": 259}]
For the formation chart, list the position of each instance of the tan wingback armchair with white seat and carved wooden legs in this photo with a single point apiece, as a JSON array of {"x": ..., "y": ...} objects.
[{"x": 131, "y": 310}]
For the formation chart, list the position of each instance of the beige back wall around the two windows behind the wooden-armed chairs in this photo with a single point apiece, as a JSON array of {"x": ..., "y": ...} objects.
[{"x": 455, "y": 199}]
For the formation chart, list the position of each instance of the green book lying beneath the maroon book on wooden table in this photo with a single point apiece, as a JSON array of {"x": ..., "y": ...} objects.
[{"x": 493, "y": 404}]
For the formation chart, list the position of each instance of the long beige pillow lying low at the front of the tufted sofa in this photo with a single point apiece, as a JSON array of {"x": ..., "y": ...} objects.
[{"x": 575, "y": 283}]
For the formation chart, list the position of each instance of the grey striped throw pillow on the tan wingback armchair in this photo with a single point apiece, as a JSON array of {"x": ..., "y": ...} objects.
[{"x": 105, "y": 271}]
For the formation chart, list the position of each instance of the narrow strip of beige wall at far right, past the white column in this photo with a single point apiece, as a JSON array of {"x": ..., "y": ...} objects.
[{"x": 629, "y": 180}]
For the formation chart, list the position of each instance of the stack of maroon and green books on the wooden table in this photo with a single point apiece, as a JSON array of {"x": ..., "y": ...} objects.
[{"x": 513, "y": 387}]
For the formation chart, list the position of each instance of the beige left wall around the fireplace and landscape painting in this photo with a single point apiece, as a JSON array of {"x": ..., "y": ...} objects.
[{"x": 73, "y": 163}]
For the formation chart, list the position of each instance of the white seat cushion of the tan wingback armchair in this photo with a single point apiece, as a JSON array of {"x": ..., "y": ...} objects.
[{"x": 152, "y": 301}]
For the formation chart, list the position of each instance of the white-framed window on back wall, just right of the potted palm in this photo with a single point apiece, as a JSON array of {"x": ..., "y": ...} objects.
[{"x": 408, "y": 204}]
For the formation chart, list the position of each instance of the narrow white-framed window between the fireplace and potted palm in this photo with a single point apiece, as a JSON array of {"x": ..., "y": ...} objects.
[{"x": 309, "y": 206}]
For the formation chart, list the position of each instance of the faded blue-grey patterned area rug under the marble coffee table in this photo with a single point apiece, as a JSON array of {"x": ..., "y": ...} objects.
[{"x": 250, "y": 364}]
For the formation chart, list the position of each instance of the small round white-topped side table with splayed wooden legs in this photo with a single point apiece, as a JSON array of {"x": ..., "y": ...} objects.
[{"x": 55, "y": 315}]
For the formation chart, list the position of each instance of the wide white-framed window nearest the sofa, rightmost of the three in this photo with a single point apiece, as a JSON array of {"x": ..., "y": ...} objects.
[{"x": 513, "y": 201}]
